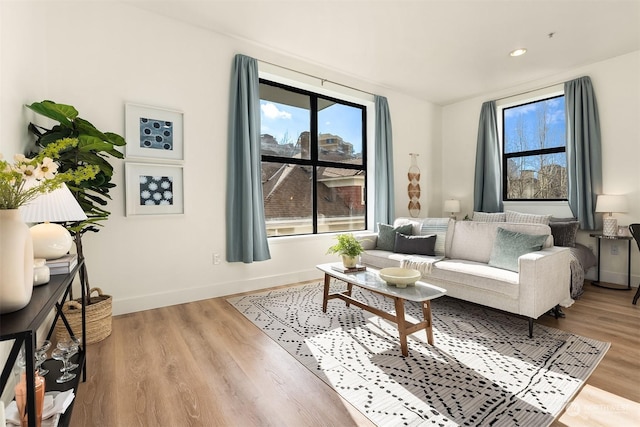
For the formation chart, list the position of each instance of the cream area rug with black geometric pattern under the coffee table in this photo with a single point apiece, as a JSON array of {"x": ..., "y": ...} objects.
[{"x": 483, "y": 370}]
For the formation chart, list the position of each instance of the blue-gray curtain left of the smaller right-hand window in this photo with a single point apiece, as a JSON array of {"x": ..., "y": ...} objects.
[{"x": 487, "y": 194}]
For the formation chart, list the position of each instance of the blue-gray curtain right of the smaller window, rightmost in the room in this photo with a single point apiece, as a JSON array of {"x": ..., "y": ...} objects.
[{"x": 584, "y": 150}]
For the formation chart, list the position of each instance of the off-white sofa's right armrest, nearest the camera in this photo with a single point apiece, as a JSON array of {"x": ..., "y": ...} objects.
[{"x": 545, "y": 280}]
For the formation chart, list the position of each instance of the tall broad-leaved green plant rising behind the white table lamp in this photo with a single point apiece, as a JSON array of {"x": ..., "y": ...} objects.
[{"x": 94, "y": 148}]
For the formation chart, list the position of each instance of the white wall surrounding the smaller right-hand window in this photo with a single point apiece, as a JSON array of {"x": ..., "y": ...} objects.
[{"x": 617, "y": 86}]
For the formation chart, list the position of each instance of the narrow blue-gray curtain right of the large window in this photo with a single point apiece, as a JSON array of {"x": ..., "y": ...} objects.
[{"x": 384, "y": 207}]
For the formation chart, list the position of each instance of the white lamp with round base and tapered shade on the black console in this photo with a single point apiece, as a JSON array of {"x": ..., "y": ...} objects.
[{"x": 51, "y": 240}]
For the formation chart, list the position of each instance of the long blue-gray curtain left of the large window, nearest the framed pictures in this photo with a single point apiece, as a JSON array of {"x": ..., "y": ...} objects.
[{"x": 246, "y": 228}]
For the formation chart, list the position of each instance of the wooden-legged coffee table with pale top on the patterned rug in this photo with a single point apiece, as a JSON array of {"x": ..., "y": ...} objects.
[{"x": 370, "y": 280}]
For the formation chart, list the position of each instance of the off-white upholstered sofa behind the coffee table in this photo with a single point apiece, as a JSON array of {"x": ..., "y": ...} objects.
[{"x": 542, "y": 282}]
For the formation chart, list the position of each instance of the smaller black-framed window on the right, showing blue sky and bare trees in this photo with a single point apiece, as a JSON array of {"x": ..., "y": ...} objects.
[{"x": 534, "y": 151}]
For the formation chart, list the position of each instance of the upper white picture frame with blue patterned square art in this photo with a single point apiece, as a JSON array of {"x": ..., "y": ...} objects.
[{"x": 154, "y": 133}]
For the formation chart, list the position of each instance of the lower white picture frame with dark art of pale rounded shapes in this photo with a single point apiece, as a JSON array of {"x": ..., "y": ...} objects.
[{"x": 154, "y": 189}]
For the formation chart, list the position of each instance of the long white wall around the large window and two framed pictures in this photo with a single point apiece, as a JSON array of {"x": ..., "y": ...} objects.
[{"x": 113, "y": 54}]
